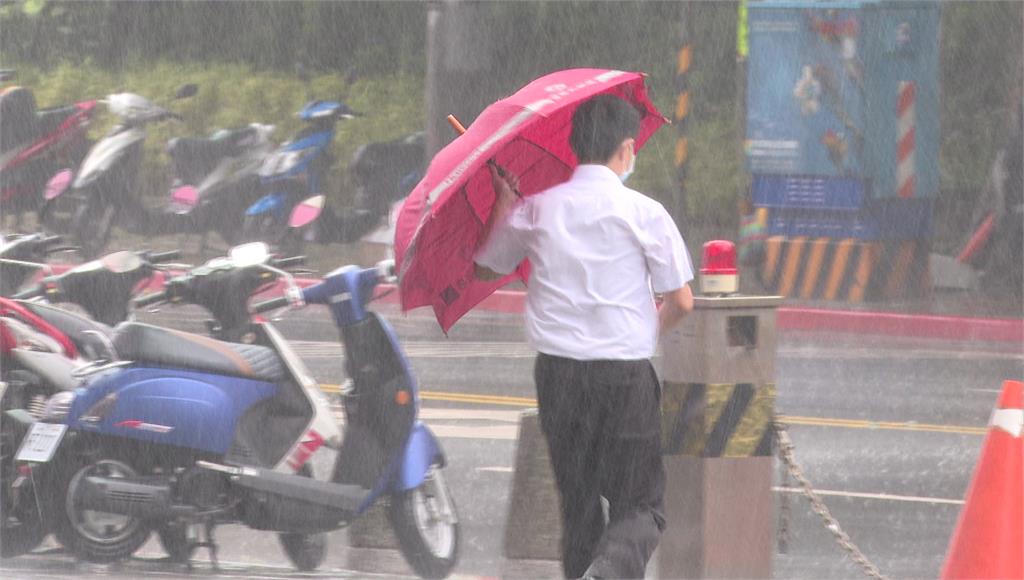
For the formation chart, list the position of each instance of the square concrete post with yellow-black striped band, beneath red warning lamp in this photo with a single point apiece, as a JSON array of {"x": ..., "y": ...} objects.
[{"x": 718, "y": 400}]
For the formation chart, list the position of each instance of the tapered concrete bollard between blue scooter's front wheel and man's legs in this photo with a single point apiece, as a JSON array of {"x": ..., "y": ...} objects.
[{"x": 534, "y": 528}]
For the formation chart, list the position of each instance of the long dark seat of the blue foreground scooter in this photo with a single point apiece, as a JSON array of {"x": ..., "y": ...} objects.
[{"x": 165, "y": 348}]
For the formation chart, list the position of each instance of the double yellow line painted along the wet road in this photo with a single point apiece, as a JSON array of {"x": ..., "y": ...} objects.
[{"x": 789, "y": 420}]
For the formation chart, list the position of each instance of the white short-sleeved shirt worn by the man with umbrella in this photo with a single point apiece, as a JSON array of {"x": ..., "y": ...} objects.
[{"x": 600, "y": 251}]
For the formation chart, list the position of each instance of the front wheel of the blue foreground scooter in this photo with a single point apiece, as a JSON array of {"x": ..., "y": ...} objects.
[{"x": 428, "y": 526}]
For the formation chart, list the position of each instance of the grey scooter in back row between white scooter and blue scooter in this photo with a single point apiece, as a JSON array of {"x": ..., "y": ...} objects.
[{"x": 216, "y": 181}]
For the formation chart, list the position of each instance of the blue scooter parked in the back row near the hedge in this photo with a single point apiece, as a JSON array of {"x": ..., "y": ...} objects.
[{"x": 294, "y": 173}]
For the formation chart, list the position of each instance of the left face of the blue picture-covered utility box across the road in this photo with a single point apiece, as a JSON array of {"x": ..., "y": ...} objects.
[{"x": 805, "y": 111}]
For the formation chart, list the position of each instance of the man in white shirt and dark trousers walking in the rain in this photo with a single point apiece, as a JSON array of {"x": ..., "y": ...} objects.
[{"x": 600, "y": 253}]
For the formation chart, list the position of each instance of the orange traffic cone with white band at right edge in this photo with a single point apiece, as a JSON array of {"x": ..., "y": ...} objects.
[{"x": 990, "y": 538}]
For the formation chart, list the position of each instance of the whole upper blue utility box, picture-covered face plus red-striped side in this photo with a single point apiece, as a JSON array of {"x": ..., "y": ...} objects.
[{"x": 845, "y": 91}]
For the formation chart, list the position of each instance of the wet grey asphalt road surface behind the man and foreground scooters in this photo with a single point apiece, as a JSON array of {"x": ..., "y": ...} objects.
[{"x": 888, "y": 429}]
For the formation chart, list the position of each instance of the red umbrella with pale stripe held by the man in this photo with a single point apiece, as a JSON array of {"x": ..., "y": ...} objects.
[{"x": 528, "y": 135}]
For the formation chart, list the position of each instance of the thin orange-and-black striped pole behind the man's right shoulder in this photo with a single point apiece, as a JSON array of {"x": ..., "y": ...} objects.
[{"x": 682, "y": 114}]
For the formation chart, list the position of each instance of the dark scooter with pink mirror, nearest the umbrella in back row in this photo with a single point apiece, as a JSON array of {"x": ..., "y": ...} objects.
[{"x": 383, "y": 174}]
